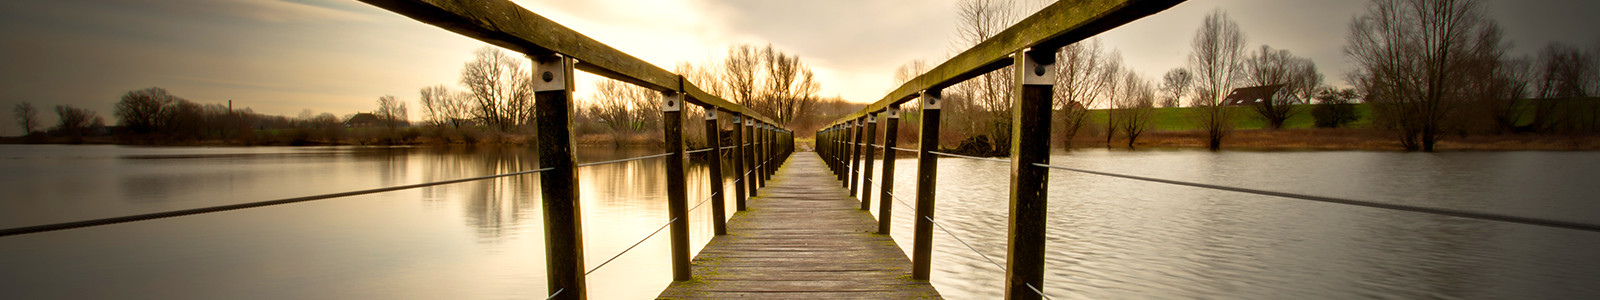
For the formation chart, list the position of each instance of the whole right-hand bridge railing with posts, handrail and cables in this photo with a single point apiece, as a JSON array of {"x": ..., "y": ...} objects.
[{"x": 1031, "y": 49}]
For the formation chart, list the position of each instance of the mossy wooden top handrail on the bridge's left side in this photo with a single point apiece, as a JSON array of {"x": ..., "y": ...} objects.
[{"x": 510, "y": 26}]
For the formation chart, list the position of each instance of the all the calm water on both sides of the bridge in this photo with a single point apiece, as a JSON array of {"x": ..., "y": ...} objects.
[{"x": 1111, "y": 239}]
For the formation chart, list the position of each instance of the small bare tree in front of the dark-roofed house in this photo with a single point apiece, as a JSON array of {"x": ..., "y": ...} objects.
[{"x": 1298, "y": 76}]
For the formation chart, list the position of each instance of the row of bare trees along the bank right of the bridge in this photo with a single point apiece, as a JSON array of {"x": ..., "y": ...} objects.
[{"x": 1428, "y": 68}]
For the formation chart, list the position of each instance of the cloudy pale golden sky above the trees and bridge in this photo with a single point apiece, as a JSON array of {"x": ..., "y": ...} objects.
[{"x": 286, "y": 57}]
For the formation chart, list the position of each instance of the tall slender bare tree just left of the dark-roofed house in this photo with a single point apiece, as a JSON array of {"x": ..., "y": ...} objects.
[{"x": 1217, "y": 63}]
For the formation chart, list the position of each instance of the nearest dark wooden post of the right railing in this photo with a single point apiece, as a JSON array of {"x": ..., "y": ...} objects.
[{"x": 1030, "y": 146}]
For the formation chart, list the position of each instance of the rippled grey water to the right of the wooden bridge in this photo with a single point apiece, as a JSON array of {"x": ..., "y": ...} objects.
[{"x": 1116, "y": 239}]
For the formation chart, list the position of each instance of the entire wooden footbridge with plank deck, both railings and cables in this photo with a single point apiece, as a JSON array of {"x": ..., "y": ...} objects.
[{"x": 802, "y": 231}]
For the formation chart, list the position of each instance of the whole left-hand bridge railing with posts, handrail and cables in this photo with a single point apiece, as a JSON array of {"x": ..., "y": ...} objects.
[{"x": 759, "y": 144}]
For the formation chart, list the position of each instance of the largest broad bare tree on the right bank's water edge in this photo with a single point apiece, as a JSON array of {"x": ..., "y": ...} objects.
[{"x": 1412, "y": 63}]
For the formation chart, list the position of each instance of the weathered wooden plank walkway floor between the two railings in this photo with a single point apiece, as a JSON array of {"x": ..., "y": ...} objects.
[{"x": 802, "y": 239}]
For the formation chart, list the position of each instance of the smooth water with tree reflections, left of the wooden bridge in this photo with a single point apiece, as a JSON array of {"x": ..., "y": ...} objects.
[{"x": 478, "y": 240}]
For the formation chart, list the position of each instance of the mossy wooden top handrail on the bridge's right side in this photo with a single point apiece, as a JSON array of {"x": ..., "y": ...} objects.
[{"x": 1052, "y": 28}]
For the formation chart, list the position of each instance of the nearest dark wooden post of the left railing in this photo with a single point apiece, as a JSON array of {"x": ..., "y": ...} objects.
[{"x": 564, "y": 234}]
